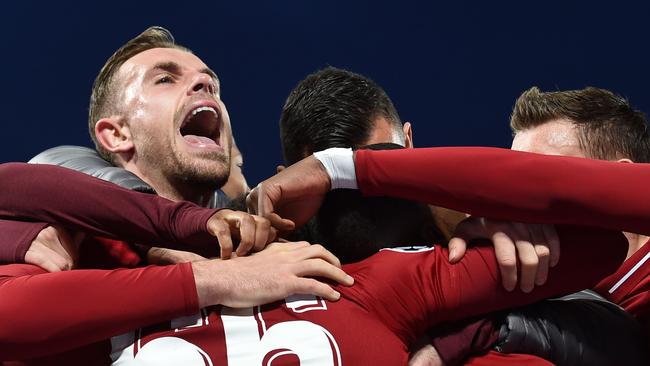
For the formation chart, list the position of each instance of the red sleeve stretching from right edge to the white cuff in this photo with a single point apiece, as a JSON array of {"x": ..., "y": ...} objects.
[{"x": 511, "y": 185}]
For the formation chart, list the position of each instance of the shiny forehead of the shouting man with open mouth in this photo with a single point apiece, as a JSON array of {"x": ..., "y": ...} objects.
[{"x": 146, "y": 60}]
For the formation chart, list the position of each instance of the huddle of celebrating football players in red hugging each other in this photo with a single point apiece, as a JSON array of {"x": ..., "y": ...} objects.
[{"x": 152, "y": 248}]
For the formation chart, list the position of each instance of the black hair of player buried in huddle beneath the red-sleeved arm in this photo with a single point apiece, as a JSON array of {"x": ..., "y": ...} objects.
[{"x": 354, "y": 227}]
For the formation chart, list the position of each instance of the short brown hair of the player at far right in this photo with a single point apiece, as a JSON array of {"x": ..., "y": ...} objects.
[{"x": 608, "y": 127}]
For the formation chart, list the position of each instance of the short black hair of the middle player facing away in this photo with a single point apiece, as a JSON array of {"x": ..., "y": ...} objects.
[{"x": 332, "y": 108}]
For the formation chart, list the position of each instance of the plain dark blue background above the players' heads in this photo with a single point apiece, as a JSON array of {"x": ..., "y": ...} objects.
[{"x": 454, "y": 70}]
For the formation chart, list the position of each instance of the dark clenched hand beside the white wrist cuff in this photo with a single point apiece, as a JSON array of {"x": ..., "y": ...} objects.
[{"x": 291, "y": 197}]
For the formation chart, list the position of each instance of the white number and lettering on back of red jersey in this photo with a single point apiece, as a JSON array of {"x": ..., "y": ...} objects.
[{"x": 248, "y": 340}]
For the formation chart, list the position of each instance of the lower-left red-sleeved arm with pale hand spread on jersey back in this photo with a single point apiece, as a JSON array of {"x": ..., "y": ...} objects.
[{"x": 45, "y": 313}]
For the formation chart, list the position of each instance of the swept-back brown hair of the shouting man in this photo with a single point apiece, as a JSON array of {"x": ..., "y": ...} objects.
[{"x": 102, "y": 99}]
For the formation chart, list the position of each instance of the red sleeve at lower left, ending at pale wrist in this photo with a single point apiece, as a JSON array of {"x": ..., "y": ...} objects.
[{"x": 45, "y": 313}]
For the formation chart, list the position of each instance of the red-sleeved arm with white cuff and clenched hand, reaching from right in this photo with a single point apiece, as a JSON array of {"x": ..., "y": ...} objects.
[{"x": 486, "y": 182}]
